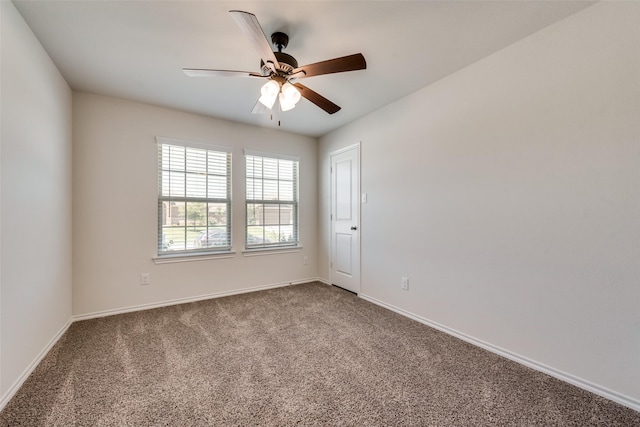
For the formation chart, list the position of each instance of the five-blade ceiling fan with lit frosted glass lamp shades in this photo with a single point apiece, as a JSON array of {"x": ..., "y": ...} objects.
[{"x": 281, "y": 70}]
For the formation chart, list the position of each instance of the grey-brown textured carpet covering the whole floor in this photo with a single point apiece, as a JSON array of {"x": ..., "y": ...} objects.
[{"x": 301, "y": 355}]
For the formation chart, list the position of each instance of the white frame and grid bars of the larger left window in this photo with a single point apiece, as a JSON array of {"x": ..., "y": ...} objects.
[{"x": 224, "y": 249}]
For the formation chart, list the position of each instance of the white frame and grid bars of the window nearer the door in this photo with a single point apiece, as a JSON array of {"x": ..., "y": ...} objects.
[{"x": 295, "y": 202}]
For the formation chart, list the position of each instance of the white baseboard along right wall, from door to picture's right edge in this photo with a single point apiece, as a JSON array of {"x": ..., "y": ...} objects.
[{"x": 563, "y": 376}]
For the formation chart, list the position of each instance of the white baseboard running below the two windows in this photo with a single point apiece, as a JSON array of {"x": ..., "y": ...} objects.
[{"x": 176, "y": 301}]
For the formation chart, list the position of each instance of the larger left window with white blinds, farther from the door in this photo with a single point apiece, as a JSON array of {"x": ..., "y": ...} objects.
[{"x": 194, "y": 198}]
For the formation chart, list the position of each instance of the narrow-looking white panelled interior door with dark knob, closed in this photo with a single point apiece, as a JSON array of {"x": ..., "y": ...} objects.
[{"x": 345, "y": 219}]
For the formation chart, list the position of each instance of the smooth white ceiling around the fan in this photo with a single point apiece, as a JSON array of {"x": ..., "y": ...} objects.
[{"x": 137, "y": 49}]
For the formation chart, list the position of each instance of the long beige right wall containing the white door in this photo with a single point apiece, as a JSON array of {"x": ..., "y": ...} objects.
[{"x": 509, "y": 194}]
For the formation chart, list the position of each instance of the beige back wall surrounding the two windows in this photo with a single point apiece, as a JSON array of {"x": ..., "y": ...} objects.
[{"x": 115, "y": 206}]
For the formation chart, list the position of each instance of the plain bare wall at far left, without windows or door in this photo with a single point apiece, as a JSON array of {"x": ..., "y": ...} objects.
[{"x": 35, "y": 201}]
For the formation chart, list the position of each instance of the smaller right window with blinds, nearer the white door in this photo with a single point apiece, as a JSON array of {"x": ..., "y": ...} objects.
[{"x": 271, "y": 201}]
